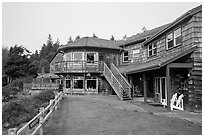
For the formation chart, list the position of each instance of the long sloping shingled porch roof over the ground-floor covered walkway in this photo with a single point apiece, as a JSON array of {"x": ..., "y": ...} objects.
[{"x": 157, "y": 62}]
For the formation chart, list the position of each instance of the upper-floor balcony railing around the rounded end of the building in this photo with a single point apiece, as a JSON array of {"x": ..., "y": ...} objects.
[{"x": 78, "y": 66}]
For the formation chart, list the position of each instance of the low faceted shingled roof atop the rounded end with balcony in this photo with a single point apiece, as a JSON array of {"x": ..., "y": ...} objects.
[{"x": 92, "y": 42}]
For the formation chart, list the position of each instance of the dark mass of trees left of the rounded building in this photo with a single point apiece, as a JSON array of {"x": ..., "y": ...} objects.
[{"x": 18, "y": 62}]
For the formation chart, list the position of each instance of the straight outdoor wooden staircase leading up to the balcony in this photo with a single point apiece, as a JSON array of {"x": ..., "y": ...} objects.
[{"x": 119, "y": 84}]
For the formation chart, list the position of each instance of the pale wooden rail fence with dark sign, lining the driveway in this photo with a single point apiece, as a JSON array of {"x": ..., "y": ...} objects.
[{"x": 37, "y": 122}]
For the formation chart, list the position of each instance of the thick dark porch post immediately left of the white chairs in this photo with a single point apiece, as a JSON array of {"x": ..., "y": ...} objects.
[{"x": 168, "y": 84}]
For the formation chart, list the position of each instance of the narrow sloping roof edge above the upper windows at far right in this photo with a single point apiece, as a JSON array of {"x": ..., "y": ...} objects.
[{"x": 175, "y": 22}]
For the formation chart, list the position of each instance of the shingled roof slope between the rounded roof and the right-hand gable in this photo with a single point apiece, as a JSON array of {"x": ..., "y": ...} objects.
[{"x": 141, "y": 36}]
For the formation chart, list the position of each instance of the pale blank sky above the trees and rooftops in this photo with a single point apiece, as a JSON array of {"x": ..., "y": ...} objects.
[{"x": 29, "y": 24}]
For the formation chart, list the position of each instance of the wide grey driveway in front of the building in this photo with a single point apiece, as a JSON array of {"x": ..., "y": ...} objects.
[{"x": 104, "y": 115}]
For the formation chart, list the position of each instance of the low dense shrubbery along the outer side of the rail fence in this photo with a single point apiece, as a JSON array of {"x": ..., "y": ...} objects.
[{"x": 23, "y": 110}]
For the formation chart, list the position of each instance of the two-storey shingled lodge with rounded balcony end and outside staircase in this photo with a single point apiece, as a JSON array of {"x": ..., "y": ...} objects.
[{"x": 154, "y": 64}]
